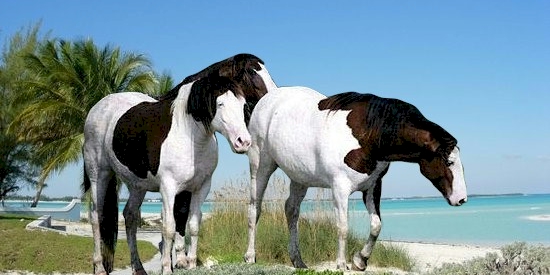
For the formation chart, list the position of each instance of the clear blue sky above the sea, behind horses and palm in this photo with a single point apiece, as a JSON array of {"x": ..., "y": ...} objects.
[{"x": 480, "y": 69}]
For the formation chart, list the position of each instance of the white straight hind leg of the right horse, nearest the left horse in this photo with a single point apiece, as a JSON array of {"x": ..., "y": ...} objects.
[{"x": 261, "y": 168}]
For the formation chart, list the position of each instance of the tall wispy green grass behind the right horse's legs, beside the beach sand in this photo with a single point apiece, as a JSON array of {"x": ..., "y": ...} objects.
[{"x": 224, "y": 237}]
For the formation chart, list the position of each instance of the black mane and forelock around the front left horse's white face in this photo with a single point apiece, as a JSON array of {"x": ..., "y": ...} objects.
[{"x": 201, "y": 104}]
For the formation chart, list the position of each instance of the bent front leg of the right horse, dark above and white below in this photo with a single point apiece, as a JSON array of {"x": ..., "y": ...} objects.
[{"x": 371, "y": 198}]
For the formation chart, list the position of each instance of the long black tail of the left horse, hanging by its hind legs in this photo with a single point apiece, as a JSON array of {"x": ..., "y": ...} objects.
[{"x": 108, "y": 220}]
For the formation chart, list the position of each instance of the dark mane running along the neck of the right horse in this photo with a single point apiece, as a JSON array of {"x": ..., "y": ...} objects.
[{"x": 384, "y": 118}]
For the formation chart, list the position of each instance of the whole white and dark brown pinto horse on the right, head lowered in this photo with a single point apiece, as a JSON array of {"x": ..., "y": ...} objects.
[{"x": 346, "y": 143}]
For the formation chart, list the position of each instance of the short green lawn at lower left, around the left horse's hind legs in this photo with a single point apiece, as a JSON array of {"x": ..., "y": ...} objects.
[{"x": 46, "y": 252}]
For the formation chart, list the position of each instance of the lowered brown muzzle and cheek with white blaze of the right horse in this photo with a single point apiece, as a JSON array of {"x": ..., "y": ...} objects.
[{"x": 446, "y": 173}]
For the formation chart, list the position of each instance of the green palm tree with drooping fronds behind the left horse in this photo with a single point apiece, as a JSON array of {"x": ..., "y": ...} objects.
[{"x": 68, "y": 78}]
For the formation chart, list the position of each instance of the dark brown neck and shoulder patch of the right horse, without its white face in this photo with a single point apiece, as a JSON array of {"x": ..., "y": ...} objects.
[{"x": 388, "y": 130}]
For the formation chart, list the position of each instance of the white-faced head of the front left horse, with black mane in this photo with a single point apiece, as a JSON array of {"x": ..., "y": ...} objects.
[{"x": 218, "y": 102}]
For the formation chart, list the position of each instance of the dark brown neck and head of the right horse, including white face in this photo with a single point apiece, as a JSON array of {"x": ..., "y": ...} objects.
[{"x": 393, "y": 130}]
